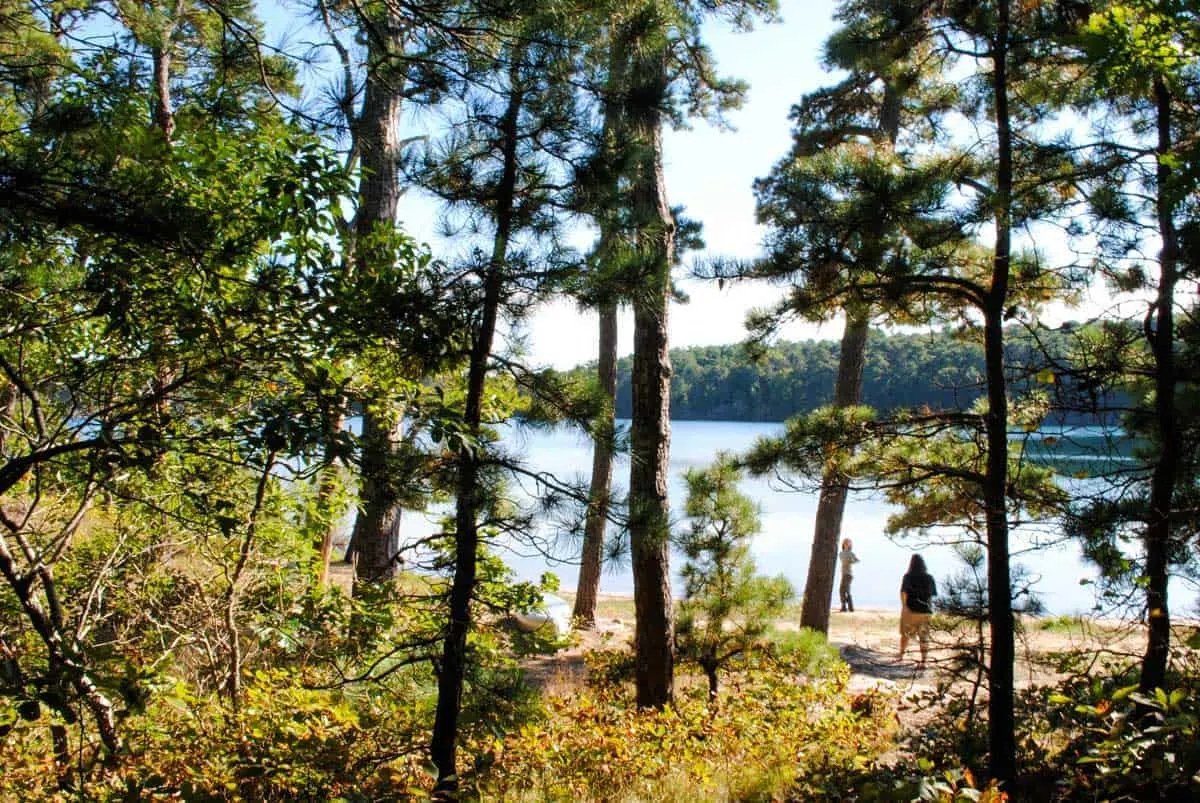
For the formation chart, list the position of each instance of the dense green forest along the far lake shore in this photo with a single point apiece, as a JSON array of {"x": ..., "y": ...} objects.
[{"x": 938, "y": 369}]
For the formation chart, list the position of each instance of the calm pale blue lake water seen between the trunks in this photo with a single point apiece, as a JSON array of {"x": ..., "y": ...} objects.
[{"x": 788, "y": 520}]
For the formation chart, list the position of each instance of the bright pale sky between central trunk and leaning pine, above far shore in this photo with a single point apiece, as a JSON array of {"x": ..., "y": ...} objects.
[{"x": 711, "y": 172}]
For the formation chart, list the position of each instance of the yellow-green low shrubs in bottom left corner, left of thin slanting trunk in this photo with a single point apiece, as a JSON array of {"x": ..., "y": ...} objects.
[{"x": 285, "y": 744}]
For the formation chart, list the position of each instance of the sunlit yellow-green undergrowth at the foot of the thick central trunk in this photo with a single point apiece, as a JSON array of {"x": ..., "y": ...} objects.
[{"x": 593, "y": 746}]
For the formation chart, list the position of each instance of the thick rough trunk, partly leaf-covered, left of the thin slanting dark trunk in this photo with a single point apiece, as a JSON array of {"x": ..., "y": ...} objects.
[{"x": 377, "y": 139}]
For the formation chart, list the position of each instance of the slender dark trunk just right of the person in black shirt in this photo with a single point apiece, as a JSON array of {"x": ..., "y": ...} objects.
[{"x": 1001, "y": 738}]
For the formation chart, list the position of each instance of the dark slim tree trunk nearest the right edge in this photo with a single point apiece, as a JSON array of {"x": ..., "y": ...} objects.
[{"x": 1162, "y": 484}]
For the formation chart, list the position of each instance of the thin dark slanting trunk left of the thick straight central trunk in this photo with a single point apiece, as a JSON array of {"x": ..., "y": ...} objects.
[{"x": 443, "y": 747}]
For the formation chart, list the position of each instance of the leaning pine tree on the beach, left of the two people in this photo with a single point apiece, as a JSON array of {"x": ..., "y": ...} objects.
[{"x": 893, "y": 88}]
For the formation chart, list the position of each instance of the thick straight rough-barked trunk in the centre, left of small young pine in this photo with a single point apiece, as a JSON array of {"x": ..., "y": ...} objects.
[{"x": 651, "y": 428}]
